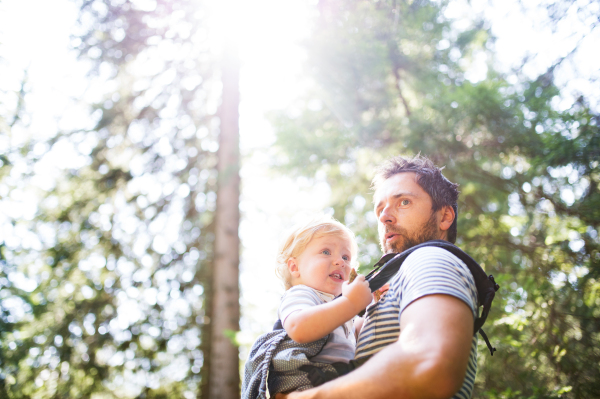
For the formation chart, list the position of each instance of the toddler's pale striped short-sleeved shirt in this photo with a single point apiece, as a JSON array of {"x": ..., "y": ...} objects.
[{"x": 341, "y": 343}]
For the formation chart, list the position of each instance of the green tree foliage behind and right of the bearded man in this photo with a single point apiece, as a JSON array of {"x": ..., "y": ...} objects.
[{"x": 394, "y": 78}]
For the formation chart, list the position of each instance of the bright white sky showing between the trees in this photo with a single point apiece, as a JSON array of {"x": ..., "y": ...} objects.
[{"x": 271, "y": 78}]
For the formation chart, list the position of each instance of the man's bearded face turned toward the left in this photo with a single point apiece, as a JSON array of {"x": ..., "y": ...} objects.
[{"x": 404, "y": 212}]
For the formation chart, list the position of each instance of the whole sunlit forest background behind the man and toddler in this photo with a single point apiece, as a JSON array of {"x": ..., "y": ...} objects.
[{"x": 110, "y": 178}]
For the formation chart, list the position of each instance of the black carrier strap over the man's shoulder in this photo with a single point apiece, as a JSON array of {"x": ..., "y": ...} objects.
[{"x": 389, "y": 265}]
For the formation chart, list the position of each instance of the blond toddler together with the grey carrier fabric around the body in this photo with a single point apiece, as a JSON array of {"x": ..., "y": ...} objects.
[{"x": 314, "y": 263}]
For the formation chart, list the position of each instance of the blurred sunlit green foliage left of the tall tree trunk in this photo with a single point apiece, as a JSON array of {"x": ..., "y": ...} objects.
[{"x": 103, "y": 281}]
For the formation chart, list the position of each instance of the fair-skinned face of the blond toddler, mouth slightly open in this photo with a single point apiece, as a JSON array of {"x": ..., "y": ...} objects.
[{"x": 323, "y": 265}]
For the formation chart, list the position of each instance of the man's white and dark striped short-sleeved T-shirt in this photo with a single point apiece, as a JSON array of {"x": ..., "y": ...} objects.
[{"x": 426, "y": 271}]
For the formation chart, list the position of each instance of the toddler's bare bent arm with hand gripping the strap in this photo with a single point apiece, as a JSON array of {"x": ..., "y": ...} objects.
[{"x": 313, "y": 323}]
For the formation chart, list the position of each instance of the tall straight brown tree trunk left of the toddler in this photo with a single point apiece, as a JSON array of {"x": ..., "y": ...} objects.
[{"x": 224, "y": 377}]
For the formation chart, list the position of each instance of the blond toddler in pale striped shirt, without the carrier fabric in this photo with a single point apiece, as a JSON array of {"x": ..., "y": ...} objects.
[{"x": 313, "y": 263}]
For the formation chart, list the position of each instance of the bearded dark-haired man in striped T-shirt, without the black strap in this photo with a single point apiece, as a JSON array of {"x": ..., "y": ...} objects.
[{"x": 418, "y": 338}]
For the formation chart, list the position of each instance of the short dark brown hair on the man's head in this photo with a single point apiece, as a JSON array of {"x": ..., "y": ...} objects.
[{"x": 441, "y": 190}]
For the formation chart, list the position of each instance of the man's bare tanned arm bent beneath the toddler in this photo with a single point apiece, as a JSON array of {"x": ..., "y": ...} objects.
[{"x": 429, "y": 360}]
